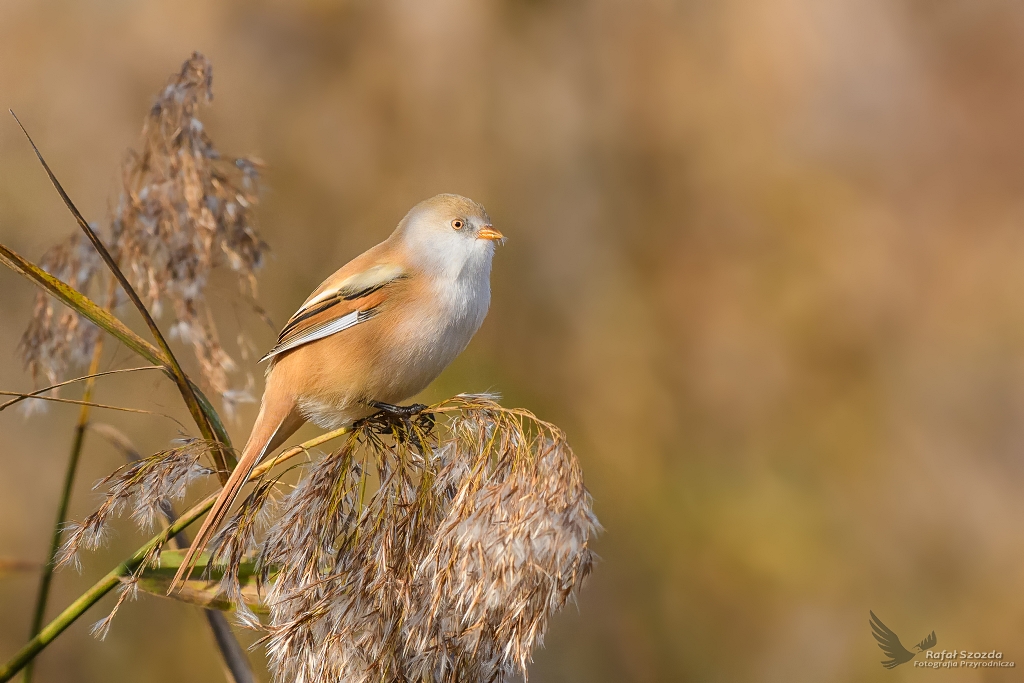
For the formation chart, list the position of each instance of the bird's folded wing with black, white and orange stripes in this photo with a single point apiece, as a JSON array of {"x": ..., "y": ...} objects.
[{"x": 343, "y": 302}]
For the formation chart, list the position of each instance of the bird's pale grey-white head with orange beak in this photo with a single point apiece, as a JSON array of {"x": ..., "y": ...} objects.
[{"x": 449, "y": 235}]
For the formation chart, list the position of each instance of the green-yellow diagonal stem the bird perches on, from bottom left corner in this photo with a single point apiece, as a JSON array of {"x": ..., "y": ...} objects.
[{"x": 50, "y": 633}]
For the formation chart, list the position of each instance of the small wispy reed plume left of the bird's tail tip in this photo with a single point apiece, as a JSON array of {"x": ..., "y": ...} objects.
[{"x": 147, "y": 487}]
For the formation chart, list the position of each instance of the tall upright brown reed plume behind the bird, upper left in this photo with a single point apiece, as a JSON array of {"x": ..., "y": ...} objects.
[{"x": 184, "y": 210}]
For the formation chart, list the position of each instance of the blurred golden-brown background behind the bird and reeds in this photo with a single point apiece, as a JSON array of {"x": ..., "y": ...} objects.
[{"x": 764, "y": 267}]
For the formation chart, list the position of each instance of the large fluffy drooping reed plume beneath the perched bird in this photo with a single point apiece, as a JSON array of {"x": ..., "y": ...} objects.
[{"x": 477, "y": 534}]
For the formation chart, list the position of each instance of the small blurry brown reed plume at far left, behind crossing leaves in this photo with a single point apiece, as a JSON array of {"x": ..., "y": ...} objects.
[{"x": 58, "y": 339}]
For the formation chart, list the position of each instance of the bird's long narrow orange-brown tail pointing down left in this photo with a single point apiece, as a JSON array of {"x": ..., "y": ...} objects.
[{"x": 277, "y": 421}]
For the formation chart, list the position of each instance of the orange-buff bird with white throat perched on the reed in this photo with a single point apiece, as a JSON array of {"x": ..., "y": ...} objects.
[{"x": 374, "y": 334}]
